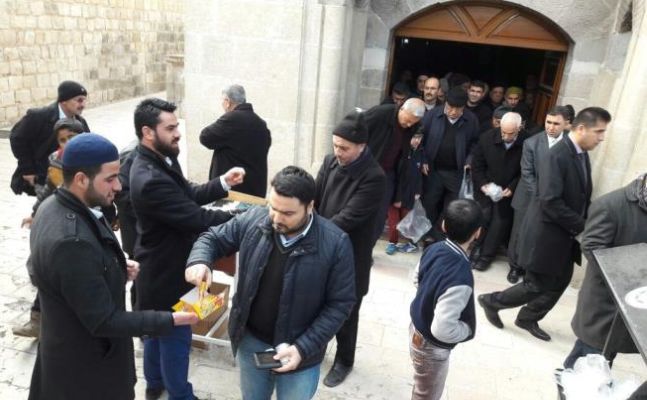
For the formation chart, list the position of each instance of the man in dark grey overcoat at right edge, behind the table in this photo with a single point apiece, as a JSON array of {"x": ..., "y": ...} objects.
[{"x": 618, "y": 218}]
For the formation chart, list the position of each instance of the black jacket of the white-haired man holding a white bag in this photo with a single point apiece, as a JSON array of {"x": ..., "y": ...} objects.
[{"x": 491, "y": 162}]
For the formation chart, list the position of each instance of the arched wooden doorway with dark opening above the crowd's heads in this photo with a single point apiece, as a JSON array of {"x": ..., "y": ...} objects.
[{"x": 495, "y": 42}]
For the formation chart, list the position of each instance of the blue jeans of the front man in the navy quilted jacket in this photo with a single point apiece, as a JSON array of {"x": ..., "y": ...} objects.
[{"x": 258, "y": 384}]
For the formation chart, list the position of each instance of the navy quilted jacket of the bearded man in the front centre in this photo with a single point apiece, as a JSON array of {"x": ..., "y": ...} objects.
[{"x": 318, "y": 285}]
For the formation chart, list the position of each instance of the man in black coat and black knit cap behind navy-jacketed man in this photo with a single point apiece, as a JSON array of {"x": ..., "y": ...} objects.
[{"x": 347, "y": 185}]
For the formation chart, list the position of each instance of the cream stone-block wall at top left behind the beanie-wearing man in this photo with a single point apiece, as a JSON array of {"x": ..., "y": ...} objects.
[{"x": 116, "y": 48}]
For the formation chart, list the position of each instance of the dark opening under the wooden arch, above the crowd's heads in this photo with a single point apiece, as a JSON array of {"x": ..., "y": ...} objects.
[{"x": 509, "y": 66}]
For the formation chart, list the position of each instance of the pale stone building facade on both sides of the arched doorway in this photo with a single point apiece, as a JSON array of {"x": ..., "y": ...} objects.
[{"x": 305, "y": 63}]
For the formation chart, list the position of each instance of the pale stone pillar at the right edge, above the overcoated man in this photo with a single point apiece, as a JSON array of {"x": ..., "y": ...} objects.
[{"x": 622, "y": 156}]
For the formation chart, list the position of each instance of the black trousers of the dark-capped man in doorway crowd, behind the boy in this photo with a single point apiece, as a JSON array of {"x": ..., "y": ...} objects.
[{"x": 440, "y": 188}]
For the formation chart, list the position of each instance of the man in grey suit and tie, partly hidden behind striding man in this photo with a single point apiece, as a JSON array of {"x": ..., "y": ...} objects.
[{"x": 534, "y": 150}]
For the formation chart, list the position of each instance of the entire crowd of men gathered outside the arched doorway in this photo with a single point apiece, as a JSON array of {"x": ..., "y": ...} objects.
[{"x": 305, "y": 259}]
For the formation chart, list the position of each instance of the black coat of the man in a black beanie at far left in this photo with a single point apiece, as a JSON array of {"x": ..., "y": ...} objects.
[{"x": 32, "y": 141}]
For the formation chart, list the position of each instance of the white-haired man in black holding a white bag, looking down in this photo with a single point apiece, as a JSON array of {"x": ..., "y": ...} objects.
[{"x": 496, "y": 161}]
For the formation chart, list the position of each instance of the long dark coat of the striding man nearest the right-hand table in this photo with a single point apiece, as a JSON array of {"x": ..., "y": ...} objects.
[{"x": 558, "y": 213}]
